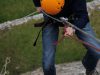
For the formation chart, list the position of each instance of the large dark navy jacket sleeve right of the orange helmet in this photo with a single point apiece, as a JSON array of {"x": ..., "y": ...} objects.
[{"x": 81, "y": 15}]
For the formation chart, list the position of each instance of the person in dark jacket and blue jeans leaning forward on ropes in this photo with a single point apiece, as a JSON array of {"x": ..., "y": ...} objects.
[{"x": 79, "y": 16}]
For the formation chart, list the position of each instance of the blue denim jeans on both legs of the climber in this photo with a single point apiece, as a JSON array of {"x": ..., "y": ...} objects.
[{"x": 50, "y": 35}]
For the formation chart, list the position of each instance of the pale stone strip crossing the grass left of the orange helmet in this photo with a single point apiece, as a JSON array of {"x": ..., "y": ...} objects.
[{"x": 20, "y": 21}]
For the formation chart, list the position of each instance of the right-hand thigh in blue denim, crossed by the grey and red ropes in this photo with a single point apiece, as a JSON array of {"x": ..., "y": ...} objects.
[{"x": 88, "y": 39}]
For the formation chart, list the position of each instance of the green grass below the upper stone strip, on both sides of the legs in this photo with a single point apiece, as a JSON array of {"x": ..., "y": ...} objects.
[{"x": 17, "y": 43}]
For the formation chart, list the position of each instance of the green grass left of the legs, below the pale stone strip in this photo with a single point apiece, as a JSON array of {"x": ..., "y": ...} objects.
[{"x": 17, "y": 43}]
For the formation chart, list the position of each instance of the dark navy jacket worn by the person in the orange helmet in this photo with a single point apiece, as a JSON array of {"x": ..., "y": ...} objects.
[{"x": 75, "y": 8}]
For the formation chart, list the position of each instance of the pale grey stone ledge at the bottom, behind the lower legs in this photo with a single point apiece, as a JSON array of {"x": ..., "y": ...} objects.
[{"x": 74, "y": 68}]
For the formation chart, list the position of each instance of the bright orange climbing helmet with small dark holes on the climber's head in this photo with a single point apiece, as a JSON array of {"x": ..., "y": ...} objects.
[{"x": 52, "y": 7}]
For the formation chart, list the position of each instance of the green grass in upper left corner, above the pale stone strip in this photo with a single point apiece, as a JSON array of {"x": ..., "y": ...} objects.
[{"x": 12, "y": 9}]
